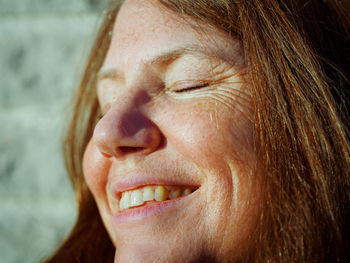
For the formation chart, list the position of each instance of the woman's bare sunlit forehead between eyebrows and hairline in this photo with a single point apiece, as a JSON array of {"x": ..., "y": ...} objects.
[{"x": 145, "y": 28}]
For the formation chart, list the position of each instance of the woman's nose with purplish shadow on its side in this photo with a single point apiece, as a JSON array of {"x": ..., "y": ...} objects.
[{"x": 125, "y": 130}]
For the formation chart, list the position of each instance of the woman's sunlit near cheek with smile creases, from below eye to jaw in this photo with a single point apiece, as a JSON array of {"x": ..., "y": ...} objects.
[{"x": 220, "y": 141}]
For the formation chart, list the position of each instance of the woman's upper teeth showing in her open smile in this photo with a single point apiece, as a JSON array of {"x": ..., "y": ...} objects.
[{"x": 159, "y": 193}]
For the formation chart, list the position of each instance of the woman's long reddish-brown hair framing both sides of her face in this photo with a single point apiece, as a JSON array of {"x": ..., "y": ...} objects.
[{"x": 297, "y": 56}]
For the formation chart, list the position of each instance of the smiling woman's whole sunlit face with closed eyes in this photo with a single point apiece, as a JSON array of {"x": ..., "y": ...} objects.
[{"x": 171, "y": 164}]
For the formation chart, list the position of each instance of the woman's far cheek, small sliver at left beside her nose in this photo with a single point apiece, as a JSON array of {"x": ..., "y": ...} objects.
[{"x": 95, "y": 169}]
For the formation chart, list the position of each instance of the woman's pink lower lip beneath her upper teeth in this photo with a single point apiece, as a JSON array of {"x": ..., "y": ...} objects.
[{"x": 153, "y": 209}]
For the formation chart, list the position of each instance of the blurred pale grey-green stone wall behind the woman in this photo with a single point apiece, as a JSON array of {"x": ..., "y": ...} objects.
[{"x": 43, "y": 48}]
